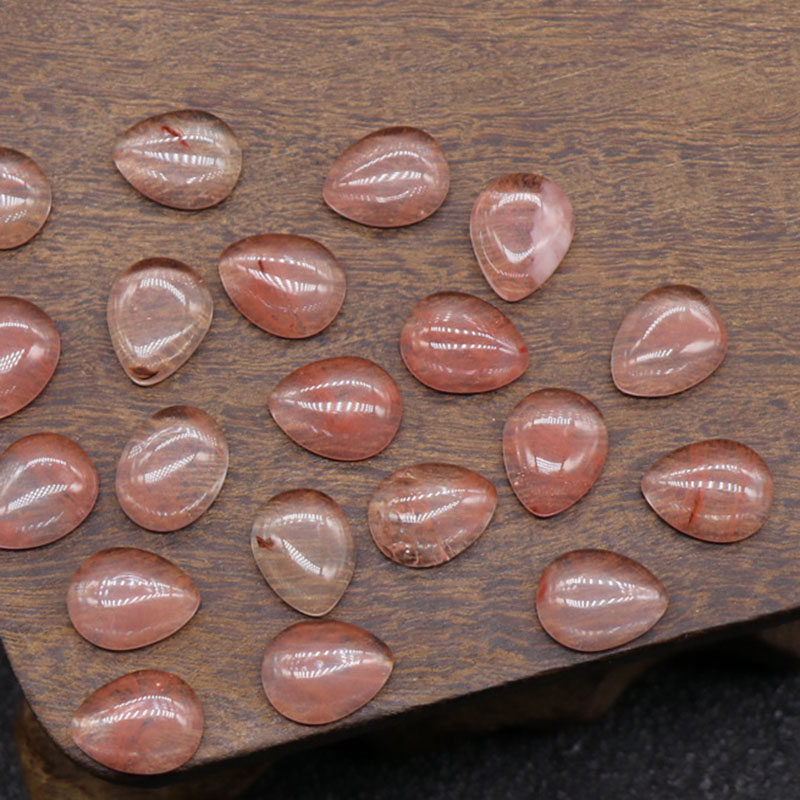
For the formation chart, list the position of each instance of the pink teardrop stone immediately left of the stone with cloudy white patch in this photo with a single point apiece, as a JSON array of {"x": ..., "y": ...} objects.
[{"x": 391, "y": 177}]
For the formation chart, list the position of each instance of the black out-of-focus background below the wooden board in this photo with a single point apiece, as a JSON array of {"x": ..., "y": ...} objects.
[{"x": 704, "y": 726}]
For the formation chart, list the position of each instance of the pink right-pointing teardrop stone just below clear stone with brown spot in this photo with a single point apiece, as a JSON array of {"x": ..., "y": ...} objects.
[{"x": 318, "y": 672}]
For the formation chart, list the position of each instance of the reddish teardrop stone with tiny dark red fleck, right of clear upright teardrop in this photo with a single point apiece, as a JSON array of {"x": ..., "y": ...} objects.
[{"x": 288, "y": 285}]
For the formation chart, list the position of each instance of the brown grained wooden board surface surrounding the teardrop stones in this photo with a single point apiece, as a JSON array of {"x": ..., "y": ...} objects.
[{"x": 674, "y": 129}]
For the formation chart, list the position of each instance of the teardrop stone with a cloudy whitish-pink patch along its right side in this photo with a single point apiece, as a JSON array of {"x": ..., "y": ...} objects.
[{"x": 521, "y": 228}]
